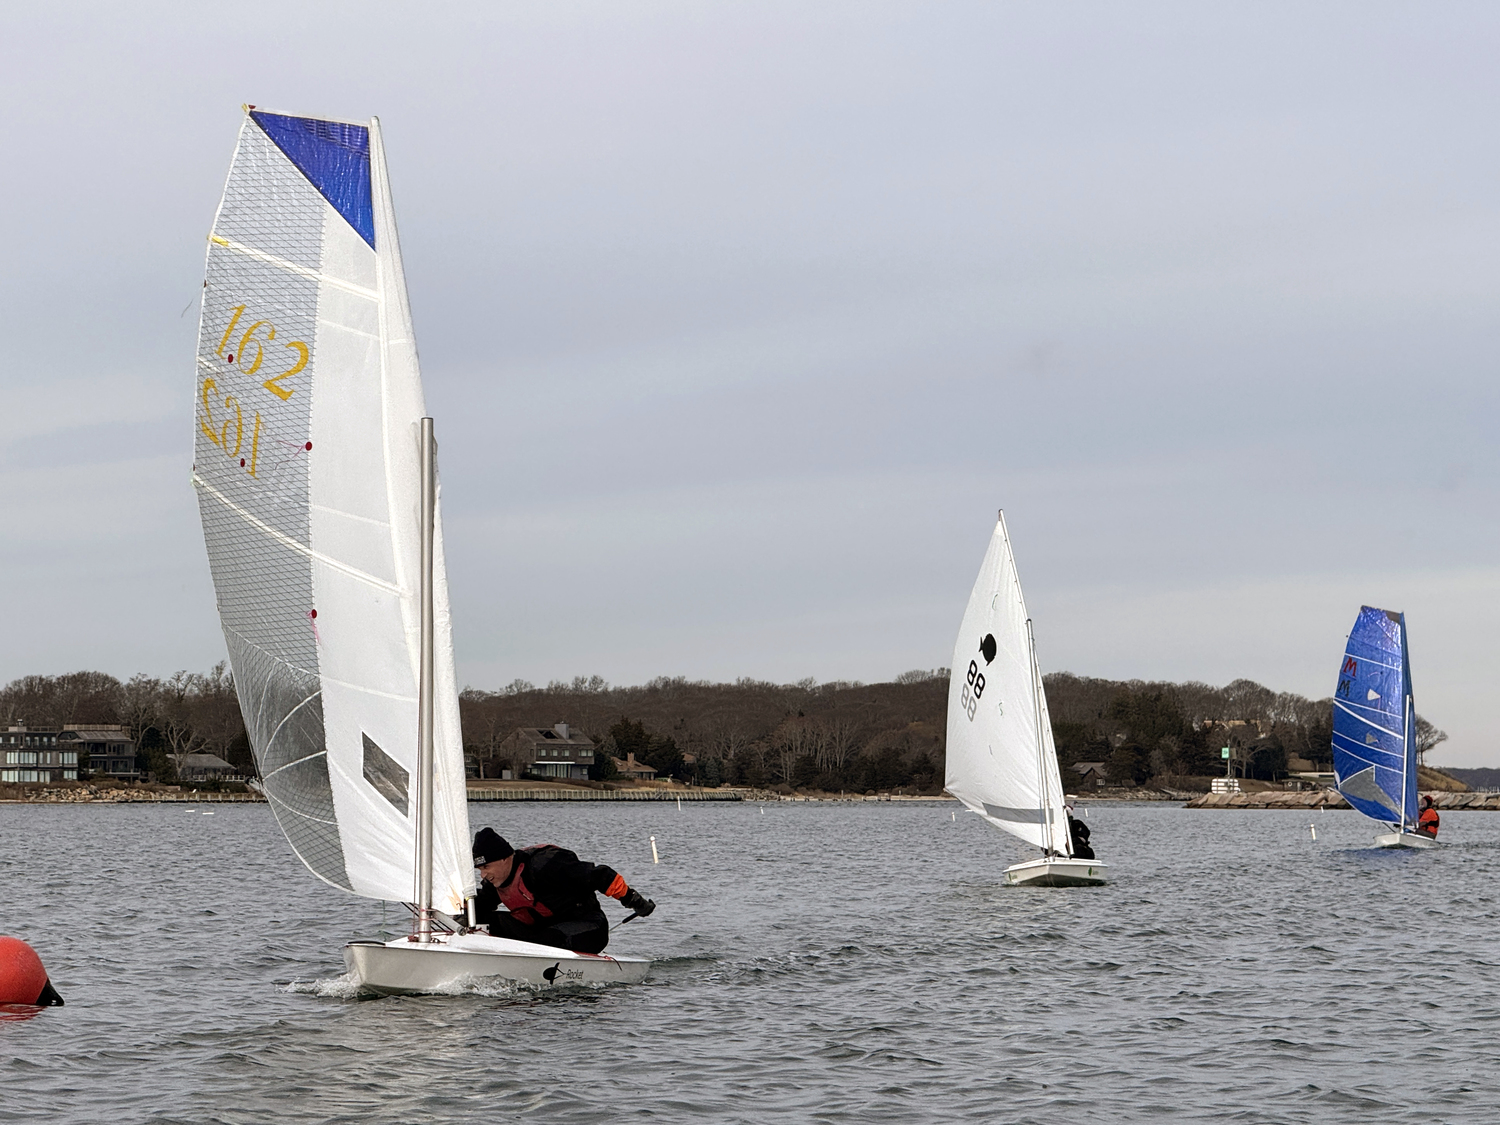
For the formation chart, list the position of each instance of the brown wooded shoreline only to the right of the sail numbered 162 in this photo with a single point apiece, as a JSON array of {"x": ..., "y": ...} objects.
[{"x": 884, "y": 737}]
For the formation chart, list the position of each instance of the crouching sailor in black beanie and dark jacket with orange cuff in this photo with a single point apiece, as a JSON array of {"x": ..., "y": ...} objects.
[{"x": 547, "y": 893}]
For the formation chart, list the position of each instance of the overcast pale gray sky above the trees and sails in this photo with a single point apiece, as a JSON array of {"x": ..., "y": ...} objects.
[{"x": 739, "y": 323}]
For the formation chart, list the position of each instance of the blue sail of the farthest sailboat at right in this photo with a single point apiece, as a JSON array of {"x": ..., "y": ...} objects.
[{"x": 1375, "y": 721}]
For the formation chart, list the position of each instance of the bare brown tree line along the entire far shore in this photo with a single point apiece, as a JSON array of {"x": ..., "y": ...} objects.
[{"x": 836, "y": 737}]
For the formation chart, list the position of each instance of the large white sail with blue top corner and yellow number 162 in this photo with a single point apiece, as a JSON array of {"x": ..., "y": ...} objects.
[{"x": 308, "y": 475}]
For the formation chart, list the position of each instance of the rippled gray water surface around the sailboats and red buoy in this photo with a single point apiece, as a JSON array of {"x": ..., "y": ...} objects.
[{"x": 817, "y": 964}]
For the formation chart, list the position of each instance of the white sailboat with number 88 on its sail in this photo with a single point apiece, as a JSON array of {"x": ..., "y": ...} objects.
[{"x": 1001, "y": 758}]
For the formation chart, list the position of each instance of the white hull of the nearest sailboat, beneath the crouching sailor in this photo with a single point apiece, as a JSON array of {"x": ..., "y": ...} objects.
[{"x": 407, "y": 967}]
